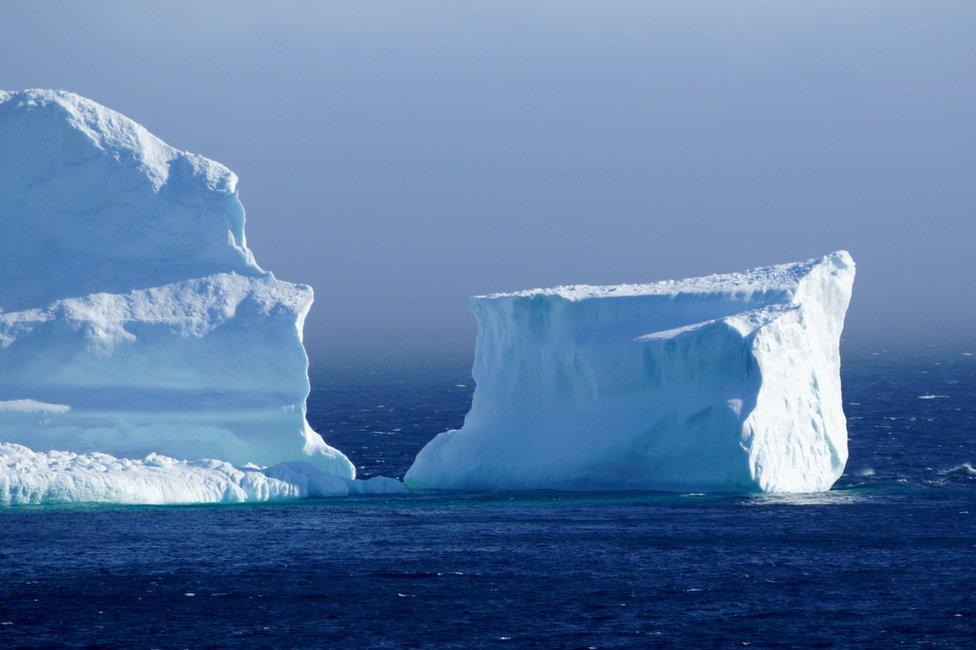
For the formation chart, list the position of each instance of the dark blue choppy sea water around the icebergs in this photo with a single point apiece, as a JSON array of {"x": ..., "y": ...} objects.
[{"x": 887, "y": 558}]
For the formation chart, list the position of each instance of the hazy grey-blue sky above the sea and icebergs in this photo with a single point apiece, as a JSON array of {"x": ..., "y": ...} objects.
[{"x": 400, "y": 157}]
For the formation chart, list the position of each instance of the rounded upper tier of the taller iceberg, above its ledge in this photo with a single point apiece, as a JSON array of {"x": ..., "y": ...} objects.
[{"x": 88, "y": 191}]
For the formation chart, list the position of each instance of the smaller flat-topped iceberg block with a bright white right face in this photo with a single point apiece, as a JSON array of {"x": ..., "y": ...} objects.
[{"x": 721, "y": 383}]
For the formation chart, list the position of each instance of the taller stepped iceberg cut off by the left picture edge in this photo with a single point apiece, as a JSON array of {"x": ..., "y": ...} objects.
[{"x": 135, "y": 323}]
